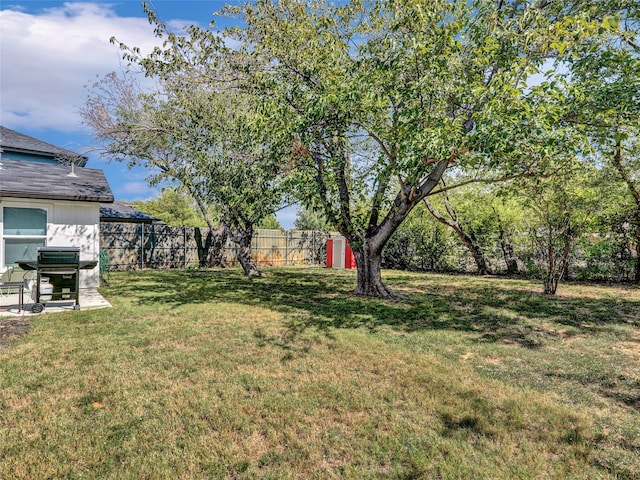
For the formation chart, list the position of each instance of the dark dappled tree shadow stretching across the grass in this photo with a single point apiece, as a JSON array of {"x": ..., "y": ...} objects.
[{"x": 489, "y": 309}]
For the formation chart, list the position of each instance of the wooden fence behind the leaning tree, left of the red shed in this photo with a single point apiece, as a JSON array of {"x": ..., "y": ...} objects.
[{"x": 136, "y": 246}]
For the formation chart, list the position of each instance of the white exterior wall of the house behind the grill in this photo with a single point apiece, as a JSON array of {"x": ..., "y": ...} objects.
[{"x": 69, "y": 224}]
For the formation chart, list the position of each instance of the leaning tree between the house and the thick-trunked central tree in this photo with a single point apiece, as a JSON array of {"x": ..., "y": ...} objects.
[{"x": 197, "y": 126}]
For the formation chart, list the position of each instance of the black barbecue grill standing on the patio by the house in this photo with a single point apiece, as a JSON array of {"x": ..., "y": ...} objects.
[{"x": 61, "y": 266}]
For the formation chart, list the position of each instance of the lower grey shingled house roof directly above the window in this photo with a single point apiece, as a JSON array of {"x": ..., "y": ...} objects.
[{"x": 19, "y": 179}]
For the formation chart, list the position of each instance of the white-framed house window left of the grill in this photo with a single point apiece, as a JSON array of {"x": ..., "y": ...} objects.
[{"x": 25, "y": 229}]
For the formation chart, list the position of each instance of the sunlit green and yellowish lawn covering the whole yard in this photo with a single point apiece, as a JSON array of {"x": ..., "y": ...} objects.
[{"x": 208, "y": 374}]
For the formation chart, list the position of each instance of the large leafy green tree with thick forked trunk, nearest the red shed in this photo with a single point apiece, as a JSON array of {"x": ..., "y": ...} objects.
[{"x": 383, "y": 97}]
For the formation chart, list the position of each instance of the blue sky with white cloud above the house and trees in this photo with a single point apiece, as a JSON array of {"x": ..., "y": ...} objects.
[{"x": 51, "y": 49}]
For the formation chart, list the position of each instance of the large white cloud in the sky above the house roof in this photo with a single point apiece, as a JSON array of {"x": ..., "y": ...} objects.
[{"x": 48, "y": 58}]
